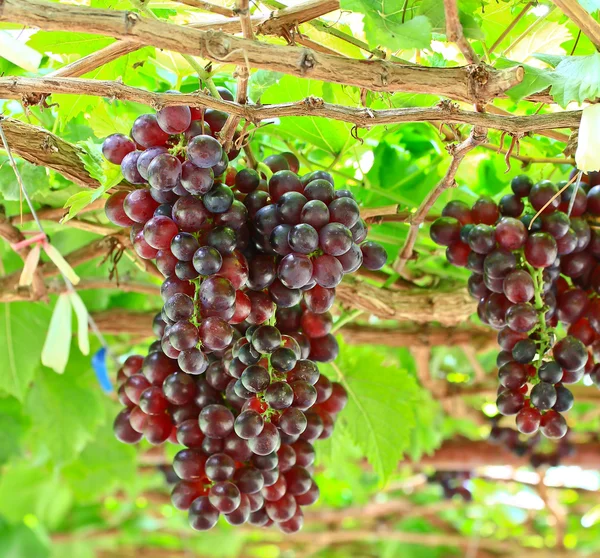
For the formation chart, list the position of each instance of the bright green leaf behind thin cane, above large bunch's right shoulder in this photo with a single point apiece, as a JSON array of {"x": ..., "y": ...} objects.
[{"x": 331, "y": 135}]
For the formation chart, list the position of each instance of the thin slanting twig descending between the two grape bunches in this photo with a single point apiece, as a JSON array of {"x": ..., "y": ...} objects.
[{"x": 477, "y": 137}]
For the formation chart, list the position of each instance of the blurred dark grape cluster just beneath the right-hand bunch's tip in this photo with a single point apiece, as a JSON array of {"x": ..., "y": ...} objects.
[{"x": 530, "y": 446}]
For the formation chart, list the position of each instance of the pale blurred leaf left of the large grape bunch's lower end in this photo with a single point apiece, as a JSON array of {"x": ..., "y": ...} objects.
[{"x": 103, "y": 466}]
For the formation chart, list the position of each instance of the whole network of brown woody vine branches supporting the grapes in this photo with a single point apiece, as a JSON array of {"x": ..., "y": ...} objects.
[{"x": 428, "y": 317}]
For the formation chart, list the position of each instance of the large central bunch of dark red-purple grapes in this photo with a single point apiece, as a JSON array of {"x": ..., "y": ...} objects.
[{"x": 250, "y": 262}]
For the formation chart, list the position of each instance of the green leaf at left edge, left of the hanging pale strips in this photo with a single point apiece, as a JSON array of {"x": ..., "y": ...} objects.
[{"x": 22, "y": 328}]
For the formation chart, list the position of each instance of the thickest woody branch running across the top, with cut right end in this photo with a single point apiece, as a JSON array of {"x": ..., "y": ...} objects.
[{"x": 376, "y": 75}]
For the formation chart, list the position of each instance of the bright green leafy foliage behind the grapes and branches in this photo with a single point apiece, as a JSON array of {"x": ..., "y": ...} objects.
[{"x": 67, "y": 488}]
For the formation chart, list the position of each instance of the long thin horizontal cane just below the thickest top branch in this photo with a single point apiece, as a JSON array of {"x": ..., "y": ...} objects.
[{"x": 22, "y": 87}]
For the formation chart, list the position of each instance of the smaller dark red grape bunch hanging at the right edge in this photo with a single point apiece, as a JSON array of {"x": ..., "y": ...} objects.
[{"x": 534, "y": 262}]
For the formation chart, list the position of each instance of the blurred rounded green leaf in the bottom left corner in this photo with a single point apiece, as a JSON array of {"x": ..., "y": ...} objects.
[{"x": 28, "y": 488}]
